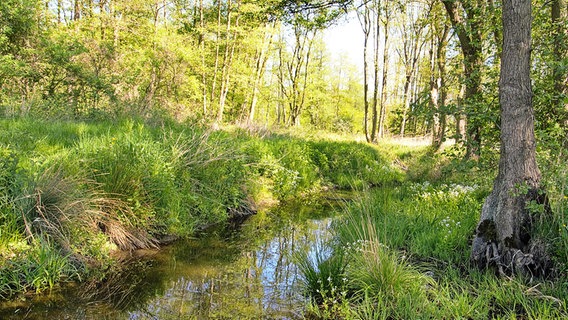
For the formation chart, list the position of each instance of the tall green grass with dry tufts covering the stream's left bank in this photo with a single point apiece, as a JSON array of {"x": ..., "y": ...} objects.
[{"x": 84, "y": 190}]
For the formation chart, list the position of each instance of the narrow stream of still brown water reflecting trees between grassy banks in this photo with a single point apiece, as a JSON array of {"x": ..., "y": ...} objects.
[{"x": 242, "y": 273}]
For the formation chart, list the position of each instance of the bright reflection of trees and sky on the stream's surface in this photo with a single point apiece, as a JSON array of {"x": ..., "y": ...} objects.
[{"x": 259, "y": 282}]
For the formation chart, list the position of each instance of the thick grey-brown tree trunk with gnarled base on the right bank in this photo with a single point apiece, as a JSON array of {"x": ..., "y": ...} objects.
[{"x": 503, "y": 236}]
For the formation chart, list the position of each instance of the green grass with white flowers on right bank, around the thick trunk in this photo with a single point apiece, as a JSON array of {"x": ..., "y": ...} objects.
[{"x": 405, "y": 252}]
